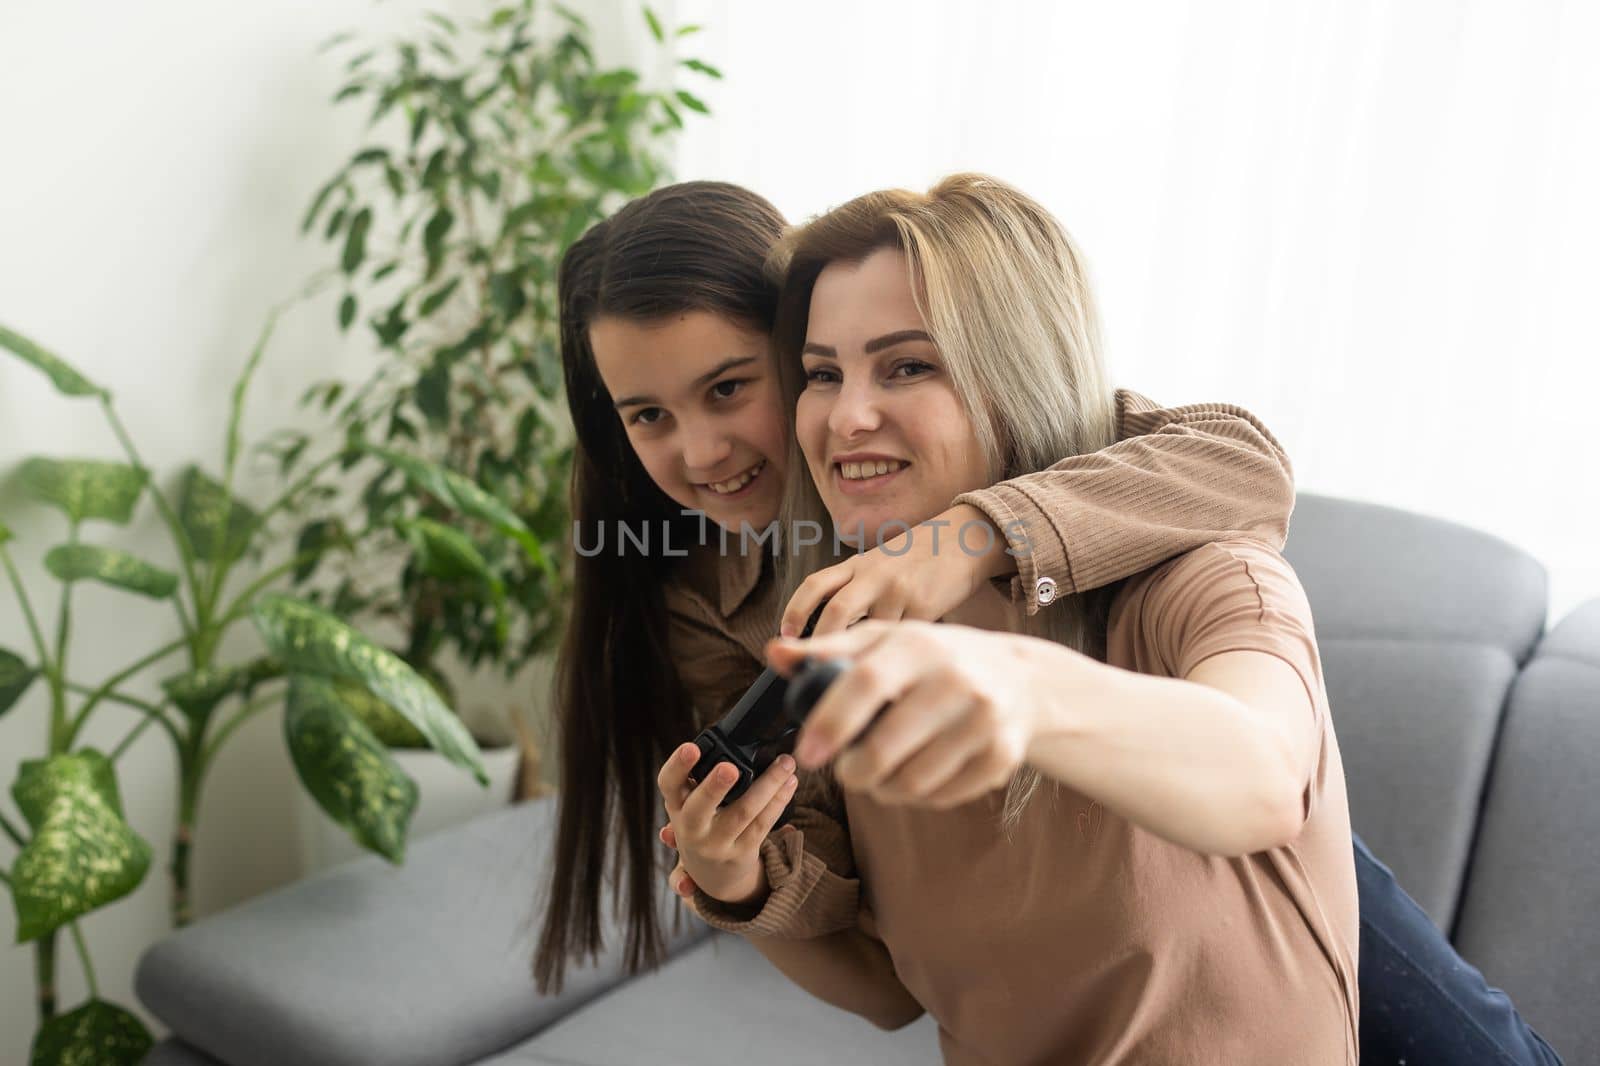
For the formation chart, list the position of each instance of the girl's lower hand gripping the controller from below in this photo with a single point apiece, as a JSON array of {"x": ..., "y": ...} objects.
[{"x": 719, "y": 848}]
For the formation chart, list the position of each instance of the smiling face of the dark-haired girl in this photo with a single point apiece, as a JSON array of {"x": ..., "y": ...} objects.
[{"x": 698, "y": 398}]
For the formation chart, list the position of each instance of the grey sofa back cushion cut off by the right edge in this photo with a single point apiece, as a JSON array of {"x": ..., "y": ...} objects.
[{"x": 1534, "y": 889}]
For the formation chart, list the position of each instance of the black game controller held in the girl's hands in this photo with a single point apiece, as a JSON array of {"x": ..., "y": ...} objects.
[{"x": 764, "y": 724}]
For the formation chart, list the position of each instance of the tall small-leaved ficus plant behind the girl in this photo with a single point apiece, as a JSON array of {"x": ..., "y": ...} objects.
[{"x": 490, "y": 150}]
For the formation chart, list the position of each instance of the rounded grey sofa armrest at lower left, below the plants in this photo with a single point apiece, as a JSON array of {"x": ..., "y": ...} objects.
[{"x": 426, "y": 964}]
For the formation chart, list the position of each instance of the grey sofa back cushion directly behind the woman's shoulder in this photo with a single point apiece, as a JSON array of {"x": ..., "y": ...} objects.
[{"x": 1423, "y": 627}]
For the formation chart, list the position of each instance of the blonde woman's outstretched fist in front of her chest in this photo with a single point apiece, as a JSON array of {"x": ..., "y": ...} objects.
[{"x": 953, "y": 710}]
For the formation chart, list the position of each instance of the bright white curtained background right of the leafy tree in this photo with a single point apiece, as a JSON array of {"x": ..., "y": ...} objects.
[{"x": 1370, "y": 223}]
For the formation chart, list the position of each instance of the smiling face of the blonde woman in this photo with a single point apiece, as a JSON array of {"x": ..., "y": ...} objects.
[{"x": 884, "y": 433}]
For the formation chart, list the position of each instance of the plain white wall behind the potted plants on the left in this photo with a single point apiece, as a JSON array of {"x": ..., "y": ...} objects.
[{"x": 154, "y": 164}]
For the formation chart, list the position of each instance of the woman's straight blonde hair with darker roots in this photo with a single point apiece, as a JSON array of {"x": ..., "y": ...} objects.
[{"x": 1006, "y": 297}]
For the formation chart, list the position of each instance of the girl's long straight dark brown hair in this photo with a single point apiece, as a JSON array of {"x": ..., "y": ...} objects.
[{"x": 620, "y": 705}]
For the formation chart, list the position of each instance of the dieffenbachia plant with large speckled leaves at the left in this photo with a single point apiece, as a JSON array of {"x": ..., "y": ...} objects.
[{"x": 76, "y": 849}]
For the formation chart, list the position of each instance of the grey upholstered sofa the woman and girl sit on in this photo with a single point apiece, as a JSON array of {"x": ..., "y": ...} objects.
[{"x": 1471, "y": 742}]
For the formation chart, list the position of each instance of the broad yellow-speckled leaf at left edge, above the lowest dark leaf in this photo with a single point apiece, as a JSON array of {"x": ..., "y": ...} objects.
[{"x": 82, "y": 854}]
